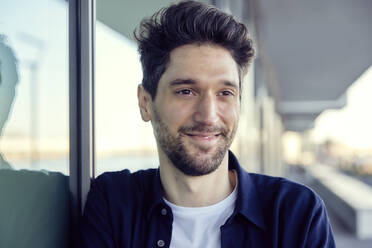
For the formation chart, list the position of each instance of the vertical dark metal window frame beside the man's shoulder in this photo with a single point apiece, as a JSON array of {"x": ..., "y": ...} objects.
[{"x": 81, "y": 104}]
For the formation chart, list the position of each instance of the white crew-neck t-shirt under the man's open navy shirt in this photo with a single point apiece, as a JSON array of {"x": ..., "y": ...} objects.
[{"x": 200, "y": 226}]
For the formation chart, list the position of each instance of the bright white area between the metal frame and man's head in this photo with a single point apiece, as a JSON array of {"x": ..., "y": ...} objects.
[{"x": 123, "y": 140}]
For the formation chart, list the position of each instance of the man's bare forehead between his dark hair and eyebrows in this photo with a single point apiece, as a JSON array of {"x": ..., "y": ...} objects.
[{"x": 201, "y": 63}]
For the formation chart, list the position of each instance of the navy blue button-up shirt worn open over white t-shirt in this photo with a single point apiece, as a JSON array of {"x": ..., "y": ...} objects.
[{"x": 128, "y": 210}]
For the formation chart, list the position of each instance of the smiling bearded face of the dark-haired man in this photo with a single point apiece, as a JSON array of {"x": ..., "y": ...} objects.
[{"x": 196, "y": 110}]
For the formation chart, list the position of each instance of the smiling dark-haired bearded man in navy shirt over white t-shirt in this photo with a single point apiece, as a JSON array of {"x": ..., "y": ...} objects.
[{"x": 194, "y": 57}]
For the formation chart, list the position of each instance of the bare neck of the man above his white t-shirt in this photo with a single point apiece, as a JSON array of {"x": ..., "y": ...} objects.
[{"x": 196, "y": 191}]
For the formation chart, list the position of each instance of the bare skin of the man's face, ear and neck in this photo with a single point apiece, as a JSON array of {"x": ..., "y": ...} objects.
[{"x": 199, "y": 88}]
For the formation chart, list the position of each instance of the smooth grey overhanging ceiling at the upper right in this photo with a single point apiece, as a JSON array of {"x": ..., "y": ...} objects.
[{"x": 314, "y": 50}]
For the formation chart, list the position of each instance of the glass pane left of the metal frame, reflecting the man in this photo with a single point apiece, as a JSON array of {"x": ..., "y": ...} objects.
[{"x": 34, "y": 123}]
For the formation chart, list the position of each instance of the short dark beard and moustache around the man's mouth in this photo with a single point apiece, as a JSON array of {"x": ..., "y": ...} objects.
[{"x": 196, "y": 164}]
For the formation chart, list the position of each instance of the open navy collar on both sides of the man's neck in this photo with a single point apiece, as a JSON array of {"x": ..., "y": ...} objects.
[{"x": 248, "y": 202}]
